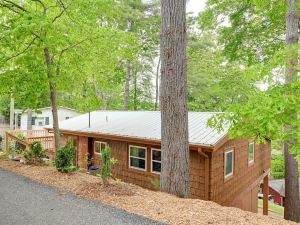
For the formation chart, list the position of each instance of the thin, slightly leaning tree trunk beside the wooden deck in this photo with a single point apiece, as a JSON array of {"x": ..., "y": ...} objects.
[{"x": 53, "y": 92}]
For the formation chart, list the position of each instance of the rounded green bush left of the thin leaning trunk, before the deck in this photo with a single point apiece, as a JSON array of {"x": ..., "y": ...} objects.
[{"x": 35, "y": 154}]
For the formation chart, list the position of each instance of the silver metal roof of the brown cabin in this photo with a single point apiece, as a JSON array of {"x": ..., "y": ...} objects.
[{"x": 142, "y": 125}]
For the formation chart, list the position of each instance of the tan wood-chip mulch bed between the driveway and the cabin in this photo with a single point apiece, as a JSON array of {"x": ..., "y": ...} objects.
[{"x": 152, "y": 204}]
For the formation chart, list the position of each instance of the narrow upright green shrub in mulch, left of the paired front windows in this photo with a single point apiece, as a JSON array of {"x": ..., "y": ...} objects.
[{"x": 107, "y": 163}]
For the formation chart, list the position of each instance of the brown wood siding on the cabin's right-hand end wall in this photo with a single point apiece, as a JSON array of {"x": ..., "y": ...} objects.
[{"x": 229, "y": 191}]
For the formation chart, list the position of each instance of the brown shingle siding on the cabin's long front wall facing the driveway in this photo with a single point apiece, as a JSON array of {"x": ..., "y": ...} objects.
[{"x": 121, "y": 170}]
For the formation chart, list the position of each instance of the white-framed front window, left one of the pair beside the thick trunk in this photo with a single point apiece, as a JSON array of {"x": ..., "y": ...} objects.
[{"x": 137, "y": 157}]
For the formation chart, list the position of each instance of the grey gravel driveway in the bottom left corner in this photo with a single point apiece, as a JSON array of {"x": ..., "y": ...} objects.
[{"x": 24, "y": 202}]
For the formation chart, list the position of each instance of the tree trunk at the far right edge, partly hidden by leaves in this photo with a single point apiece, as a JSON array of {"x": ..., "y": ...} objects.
[{"x": 292, "y": 200}]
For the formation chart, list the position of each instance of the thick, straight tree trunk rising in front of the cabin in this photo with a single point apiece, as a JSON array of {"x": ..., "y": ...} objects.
[{"x": 174, "y": 114}]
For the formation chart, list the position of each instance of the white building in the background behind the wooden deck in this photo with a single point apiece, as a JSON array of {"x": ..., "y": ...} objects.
[{"x": 43, "y": 117}]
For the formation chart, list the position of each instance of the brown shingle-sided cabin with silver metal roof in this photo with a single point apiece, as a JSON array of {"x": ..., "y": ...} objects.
[{"x": 228, "y": 172}]
